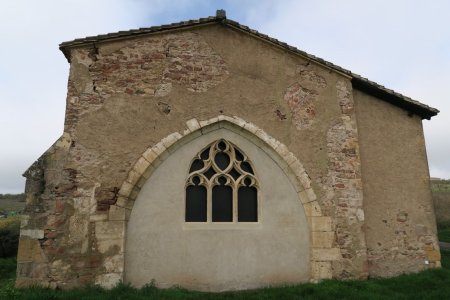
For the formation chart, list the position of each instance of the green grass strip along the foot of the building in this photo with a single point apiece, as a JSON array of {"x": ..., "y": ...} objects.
[{"x": 430, "y": 284}]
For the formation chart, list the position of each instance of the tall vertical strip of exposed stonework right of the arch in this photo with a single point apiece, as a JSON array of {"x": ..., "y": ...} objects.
[{"x": 343, "y": 197}]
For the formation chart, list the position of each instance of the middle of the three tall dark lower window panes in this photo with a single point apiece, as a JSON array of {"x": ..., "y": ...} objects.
[{"x": 222, "y": 203}]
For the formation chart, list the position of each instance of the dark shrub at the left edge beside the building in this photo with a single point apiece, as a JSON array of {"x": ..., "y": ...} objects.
[{"x": 9, "y": 236}]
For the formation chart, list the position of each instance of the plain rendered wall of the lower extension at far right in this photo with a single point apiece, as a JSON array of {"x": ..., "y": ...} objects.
[{"x": 400, "y": 223}]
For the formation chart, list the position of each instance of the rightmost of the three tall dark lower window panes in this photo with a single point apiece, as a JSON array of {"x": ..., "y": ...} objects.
[{"x": 247, "y": 204}]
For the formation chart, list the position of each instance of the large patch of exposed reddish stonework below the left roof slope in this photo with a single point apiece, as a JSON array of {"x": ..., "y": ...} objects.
[{"x": 181, "y": 58}]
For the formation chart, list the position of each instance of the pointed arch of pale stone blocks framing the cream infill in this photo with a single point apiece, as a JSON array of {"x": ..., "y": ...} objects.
[{"x": 321, "y": 234}]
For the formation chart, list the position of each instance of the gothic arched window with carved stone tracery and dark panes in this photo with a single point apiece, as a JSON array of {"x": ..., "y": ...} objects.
[{"x": 221, "y": 186}]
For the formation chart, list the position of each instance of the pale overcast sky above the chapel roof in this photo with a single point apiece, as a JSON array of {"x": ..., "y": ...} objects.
[{"x": 403, "y": 45}]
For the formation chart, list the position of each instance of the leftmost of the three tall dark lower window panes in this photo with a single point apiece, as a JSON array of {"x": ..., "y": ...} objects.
[{"x": 195, "y": 203}]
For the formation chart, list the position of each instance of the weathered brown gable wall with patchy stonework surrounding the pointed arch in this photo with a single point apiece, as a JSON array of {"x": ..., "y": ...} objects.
[{"x": 125, "y": 96}]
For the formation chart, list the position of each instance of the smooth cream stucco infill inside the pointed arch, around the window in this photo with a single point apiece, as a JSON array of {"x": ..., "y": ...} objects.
[{"x": 160, "y": 246}]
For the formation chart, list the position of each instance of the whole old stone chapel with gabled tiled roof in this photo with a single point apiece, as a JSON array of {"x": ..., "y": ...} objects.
[{"x": 207, "y": 155}]
